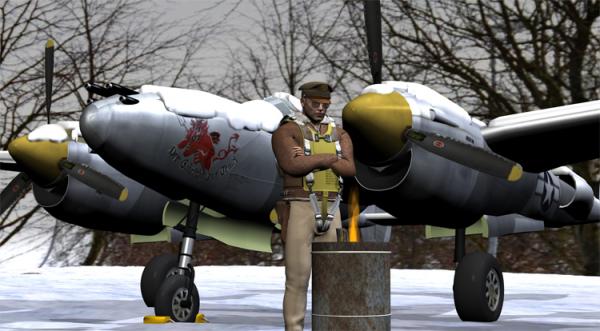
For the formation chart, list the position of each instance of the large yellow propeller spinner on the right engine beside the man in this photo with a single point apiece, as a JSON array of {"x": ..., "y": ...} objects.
[{"x": 376, "y": 122}]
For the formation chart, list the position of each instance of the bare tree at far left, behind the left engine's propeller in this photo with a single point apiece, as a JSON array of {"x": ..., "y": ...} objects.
[{"x": 120, "y": 41}]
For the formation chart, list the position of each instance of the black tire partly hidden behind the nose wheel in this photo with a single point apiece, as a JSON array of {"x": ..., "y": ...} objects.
[{"x": 154, "y": 274}]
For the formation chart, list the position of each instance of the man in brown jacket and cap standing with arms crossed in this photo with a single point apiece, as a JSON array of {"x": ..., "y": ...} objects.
[{"x": 313, "y": 155}]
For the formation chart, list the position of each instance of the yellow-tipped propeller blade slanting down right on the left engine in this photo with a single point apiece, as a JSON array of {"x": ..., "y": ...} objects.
[{"x": 94, "y": 179}]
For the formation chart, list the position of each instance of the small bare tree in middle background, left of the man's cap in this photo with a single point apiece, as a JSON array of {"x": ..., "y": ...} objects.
[{"x": 278, "y": 55}]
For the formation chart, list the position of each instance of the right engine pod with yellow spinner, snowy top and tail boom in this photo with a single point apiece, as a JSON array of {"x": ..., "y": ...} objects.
[{"x": 404, "y": 178}]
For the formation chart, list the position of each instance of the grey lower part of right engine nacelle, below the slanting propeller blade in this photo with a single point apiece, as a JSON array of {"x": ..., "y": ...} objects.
[{"x": 419, "y": 180}]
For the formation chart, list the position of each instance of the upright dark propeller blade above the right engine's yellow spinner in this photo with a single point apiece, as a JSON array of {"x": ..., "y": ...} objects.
[{"x": 373, "y": 26}]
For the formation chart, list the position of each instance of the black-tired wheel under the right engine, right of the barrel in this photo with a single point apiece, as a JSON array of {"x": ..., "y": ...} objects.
[{"x": 478, "y": 288}]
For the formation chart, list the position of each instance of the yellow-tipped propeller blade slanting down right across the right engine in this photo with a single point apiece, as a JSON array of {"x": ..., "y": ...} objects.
[{"x": 470, "y": 156}]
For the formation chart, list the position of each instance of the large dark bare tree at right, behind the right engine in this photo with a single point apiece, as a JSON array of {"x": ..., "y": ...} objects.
[{"x": 495, "y": 58}]
